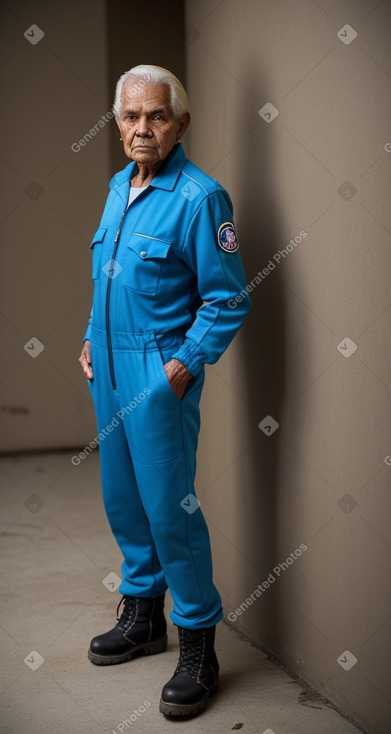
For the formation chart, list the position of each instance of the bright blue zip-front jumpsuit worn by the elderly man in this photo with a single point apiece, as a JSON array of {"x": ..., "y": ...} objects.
[{"x": 164, "y": 269}]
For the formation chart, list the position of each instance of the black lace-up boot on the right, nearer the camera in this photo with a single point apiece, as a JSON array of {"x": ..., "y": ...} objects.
[{"x": 195, "y": 677}]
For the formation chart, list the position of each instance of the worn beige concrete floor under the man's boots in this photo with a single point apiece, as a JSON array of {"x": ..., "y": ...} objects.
[{"x": 56, "y": 550}]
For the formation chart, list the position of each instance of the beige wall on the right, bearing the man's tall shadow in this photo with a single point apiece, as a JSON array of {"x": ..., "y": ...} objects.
[{"x": 320, "y": 479}]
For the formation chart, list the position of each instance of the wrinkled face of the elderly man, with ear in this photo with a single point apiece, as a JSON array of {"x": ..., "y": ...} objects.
[{"x": 147, "y": 125}]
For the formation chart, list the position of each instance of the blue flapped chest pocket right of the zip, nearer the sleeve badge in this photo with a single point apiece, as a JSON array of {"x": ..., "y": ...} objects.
[{"x": 145, "y": 258}]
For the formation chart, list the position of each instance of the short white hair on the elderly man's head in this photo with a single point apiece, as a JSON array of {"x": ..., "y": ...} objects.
[{"x": 147, "y": 73}]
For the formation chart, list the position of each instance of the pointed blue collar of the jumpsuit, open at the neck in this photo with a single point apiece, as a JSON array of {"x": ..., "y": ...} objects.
[{"x": 165, "y": 178}]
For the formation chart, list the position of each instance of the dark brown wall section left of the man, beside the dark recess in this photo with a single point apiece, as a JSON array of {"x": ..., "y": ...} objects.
[{"x": 53, "y": 92}]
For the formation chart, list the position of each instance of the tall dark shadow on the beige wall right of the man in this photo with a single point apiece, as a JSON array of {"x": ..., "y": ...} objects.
[{"x": 264, "y": 363}]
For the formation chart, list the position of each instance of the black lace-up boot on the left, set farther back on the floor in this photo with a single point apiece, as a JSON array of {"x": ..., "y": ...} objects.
[{"x": 141, "y": 630}]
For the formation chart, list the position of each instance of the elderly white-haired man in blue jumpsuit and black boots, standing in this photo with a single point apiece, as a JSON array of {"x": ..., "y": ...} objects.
[{"x": 165, "y": 265}]
